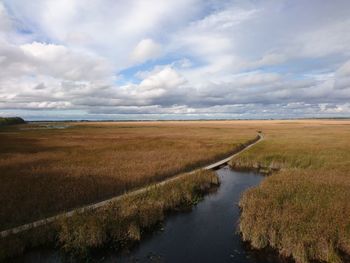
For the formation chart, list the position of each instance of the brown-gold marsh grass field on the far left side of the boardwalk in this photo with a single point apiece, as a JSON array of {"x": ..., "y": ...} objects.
[{"x": 44, "y": 171}]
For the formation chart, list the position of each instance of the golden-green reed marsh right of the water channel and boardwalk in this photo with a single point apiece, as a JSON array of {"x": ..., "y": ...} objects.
[{"x": 303, "y": 208}]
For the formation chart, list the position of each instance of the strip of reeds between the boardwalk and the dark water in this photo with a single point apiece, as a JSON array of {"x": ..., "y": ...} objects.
[{"x": 120, "y": 224}]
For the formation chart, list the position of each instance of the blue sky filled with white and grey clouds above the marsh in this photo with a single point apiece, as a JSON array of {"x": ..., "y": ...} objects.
[{"x": 174, "y": 59}]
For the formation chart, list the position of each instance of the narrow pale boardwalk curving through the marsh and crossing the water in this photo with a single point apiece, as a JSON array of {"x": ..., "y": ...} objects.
[{"x": 48, "y": 220}]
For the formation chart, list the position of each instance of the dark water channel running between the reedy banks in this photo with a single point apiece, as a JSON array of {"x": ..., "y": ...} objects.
[{"x": 206, "y": 234}]
